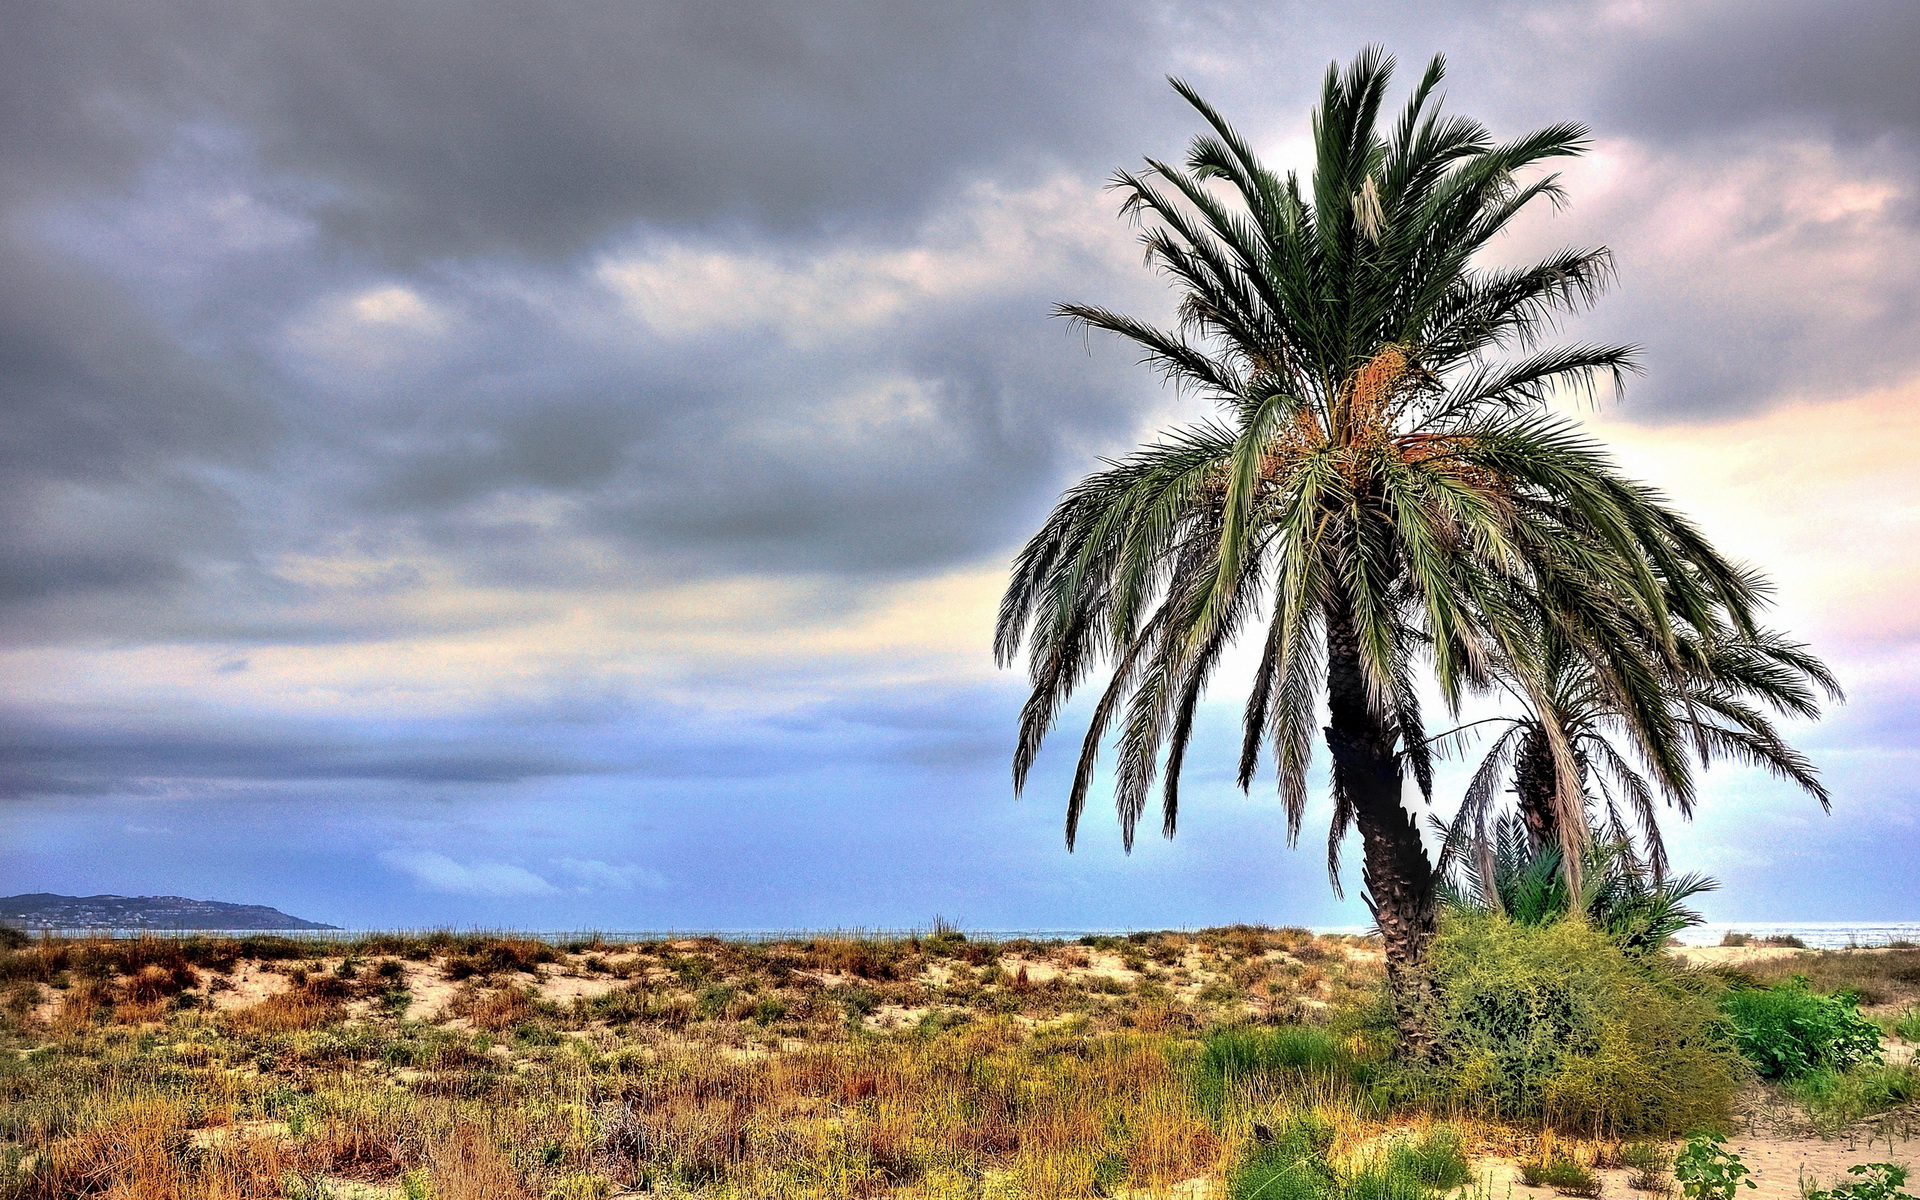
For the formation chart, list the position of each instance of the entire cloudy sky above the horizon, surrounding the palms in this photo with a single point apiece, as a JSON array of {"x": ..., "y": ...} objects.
[{"x": 554, "y": 468}]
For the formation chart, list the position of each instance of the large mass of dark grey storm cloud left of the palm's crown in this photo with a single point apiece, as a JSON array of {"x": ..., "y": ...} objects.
[{"x": 147, "y": 352}]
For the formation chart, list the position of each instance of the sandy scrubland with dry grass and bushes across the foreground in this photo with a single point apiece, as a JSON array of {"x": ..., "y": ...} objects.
[{"x": 1226, "y": 1063}]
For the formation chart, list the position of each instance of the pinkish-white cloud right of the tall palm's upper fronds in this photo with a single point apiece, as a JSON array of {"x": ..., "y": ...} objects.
[{"x": 1758, "y": 272}]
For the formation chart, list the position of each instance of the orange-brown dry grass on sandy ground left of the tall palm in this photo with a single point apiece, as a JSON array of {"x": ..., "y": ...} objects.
[{"x": 828, "y": 1067}]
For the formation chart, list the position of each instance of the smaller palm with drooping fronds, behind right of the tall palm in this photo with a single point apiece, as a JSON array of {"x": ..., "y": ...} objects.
[{"x": 1717, "y": 704}]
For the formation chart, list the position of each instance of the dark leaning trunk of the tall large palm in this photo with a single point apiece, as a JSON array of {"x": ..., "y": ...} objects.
[{"x": 1397, "y": 875}]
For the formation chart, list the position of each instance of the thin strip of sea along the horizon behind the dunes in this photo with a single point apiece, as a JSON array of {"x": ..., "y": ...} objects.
[{"x": 1819, "y": 936}]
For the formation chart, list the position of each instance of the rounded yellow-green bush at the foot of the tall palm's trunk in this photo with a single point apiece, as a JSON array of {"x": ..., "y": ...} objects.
[{"x": 1560, "y": 1024}]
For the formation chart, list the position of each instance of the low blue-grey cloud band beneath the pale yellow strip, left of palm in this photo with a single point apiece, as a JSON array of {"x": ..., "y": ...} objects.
[{"x": 139, "y": 754}]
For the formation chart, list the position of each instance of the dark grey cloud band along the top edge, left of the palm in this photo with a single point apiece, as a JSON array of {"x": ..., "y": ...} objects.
[{"x": 454, "y": 128}]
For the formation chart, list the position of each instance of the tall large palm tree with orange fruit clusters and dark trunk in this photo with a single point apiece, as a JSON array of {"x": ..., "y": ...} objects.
[{"x": 1381, "y": 491}]
